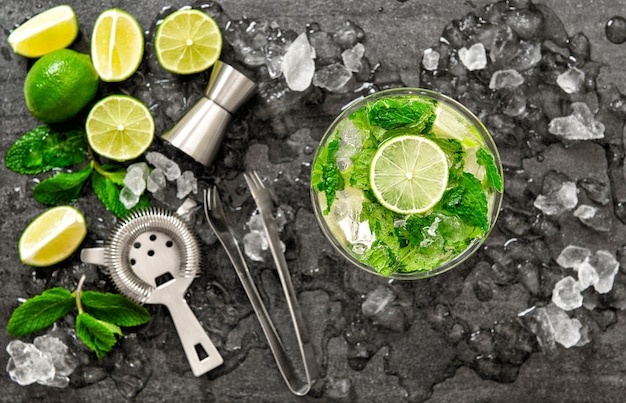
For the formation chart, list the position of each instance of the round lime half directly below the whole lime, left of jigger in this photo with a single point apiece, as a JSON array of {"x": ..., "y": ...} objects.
[{"x": 120, "y": 127}]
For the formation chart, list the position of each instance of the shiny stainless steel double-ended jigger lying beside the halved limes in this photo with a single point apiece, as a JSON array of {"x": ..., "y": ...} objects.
[{"x": 200, "y": 132}]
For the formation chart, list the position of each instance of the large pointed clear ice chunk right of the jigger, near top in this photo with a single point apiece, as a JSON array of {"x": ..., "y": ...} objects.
[{"x": 298, "y": 64}]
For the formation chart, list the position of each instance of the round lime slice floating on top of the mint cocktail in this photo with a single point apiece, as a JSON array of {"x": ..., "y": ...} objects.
[{"x": 409, "y": 174}]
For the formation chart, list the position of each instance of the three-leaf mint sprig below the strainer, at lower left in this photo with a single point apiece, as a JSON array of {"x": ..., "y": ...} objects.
[{"x": 98, "y": 320}]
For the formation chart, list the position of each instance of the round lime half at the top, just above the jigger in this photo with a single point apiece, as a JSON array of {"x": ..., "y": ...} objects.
[{"x": 188, "y": 41}]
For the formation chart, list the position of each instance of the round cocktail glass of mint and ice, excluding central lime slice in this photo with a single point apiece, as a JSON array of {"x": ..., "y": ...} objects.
[{"x": 351, "y": 222}]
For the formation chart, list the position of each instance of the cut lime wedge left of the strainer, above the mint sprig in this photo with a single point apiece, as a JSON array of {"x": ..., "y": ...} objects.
[{"x": 52, "y": 237}]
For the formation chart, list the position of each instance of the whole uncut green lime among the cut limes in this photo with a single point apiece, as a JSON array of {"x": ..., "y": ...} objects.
[{"x": 59, "y": 85}]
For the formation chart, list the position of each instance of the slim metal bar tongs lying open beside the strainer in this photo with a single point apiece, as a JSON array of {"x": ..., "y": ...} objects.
[{"x": 217, "y": 220}]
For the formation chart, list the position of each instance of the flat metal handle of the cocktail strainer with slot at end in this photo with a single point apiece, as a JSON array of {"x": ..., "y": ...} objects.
[{"x": 199, "y": 349}]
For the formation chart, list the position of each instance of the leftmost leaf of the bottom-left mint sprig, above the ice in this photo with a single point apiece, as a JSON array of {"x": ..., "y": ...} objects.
[{"x": 41, "y": 311}]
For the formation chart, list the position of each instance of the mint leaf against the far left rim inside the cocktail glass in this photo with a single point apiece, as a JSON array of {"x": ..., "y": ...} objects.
[{"x": 325, "y": 176}]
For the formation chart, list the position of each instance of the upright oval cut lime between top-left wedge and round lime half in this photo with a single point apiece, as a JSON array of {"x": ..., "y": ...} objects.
[{"x": 116, "y": 45}]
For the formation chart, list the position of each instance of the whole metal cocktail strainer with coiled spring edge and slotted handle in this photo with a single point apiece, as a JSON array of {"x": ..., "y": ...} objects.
[{"x": 152, "y": 257}]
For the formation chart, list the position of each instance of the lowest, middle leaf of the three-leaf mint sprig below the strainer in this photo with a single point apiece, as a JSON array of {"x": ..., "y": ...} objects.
[{"x": 98, "y": 335}]
